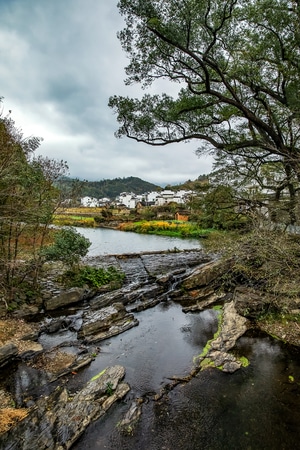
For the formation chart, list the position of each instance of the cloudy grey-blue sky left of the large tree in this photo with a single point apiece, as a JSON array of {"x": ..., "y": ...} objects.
[{"x": 60, "y": 60}]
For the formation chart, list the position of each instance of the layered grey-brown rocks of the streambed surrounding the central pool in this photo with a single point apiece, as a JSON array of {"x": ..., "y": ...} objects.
[{"x": 70, "y": 327}]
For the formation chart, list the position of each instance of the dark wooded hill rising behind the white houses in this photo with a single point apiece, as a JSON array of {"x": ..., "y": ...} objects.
[{"x": 110, "y": 188}]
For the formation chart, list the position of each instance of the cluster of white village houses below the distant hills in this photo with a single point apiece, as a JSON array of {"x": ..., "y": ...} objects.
[{"x": 131, "y": 200}]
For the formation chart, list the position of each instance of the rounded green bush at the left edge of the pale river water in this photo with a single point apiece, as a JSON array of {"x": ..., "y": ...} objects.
[{"x": 68, "y": 247}]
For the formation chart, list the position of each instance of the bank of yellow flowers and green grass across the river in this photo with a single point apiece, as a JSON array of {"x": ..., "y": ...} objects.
[{"x": 166, "y": 228}]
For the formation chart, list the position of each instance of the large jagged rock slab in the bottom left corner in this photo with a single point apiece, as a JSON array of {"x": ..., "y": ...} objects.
[{"x": 56, "y": 422}]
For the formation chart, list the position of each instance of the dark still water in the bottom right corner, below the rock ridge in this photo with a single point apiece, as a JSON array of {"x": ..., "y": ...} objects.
[{"x": 255, "y": 408}]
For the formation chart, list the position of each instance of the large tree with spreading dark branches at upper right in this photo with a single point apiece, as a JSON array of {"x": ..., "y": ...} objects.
[{"x": 237, "y": 64}]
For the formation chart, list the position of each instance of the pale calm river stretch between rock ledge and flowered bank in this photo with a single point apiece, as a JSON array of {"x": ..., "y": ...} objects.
[{"x": 113, "y": 242}]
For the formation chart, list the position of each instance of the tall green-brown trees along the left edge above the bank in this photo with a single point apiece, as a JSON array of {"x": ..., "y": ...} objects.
[{"x": 28, "y": 200}]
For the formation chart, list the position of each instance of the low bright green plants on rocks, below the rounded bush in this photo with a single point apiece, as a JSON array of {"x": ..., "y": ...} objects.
[{"x": 94, "y": 277}]
